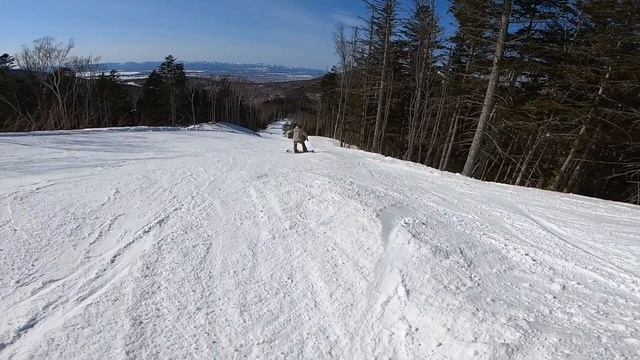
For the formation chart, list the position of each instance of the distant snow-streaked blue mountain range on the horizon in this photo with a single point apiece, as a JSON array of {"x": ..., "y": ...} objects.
[{"x": 249, "y": 72}]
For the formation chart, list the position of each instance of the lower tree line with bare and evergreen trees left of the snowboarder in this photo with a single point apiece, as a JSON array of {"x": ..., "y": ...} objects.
[{"x": 46, "y": 87}]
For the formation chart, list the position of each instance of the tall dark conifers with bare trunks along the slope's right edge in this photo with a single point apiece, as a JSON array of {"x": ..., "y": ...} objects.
[{"x": 539, "y": 93}]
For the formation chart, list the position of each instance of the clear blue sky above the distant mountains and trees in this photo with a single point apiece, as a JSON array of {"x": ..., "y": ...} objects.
[{"x": 283, "y": 32}]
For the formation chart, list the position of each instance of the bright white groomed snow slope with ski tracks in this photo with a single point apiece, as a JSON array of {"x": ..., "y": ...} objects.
[{"x": 216, "y": 243}]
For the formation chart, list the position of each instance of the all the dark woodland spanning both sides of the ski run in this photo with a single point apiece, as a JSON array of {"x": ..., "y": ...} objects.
[{"x": 538, "y": 93}]
